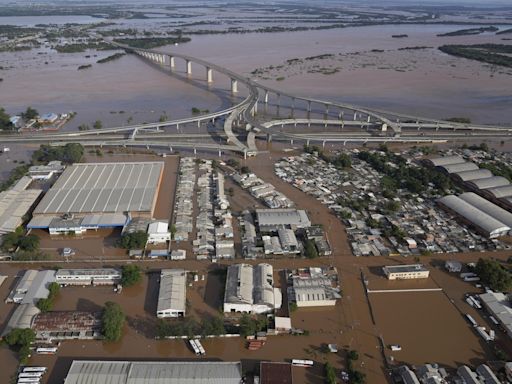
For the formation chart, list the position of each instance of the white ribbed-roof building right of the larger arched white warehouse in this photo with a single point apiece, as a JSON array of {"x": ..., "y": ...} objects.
[{"x": 313, "y": 288}]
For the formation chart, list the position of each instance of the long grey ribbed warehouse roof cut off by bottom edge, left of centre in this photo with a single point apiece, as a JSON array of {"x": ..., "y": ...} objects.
[{"x": 141, "y": 372}]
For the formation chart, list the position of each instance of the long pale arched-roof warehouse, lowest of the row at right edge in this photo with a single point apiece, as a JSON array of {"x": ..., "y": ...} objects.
[{"x": 481, "y": 221}]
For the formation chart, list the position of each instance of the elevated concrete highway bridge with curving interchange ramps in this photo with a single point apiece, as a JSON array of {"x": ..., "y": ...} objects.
[{"x": 403, "y": 128}]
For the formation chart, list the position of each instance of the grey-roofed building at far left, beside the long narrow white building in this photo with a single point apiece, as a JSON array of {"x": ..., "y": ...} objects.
[{"x": 31, "y": 287}]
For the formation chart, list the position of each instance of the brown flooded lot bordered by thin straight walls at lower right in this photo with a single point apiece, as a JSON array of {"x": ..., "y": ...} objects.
[{"x": 428, "y": 328}]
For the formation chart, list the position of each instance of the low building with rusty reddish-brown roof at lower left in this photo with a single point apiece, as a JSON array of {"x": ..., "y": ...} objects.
[{"x": 67, "y": 325}]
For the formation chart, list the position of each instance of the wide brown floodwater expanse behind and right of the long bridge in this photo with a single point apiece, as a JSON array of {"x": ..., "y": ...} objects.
[{"x": 434, "y": 84}]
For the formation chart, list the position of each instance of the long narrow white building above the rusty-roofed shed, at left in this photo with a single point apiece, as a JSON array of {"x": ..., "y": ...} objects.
[{"x": 99, "y": 276}]
